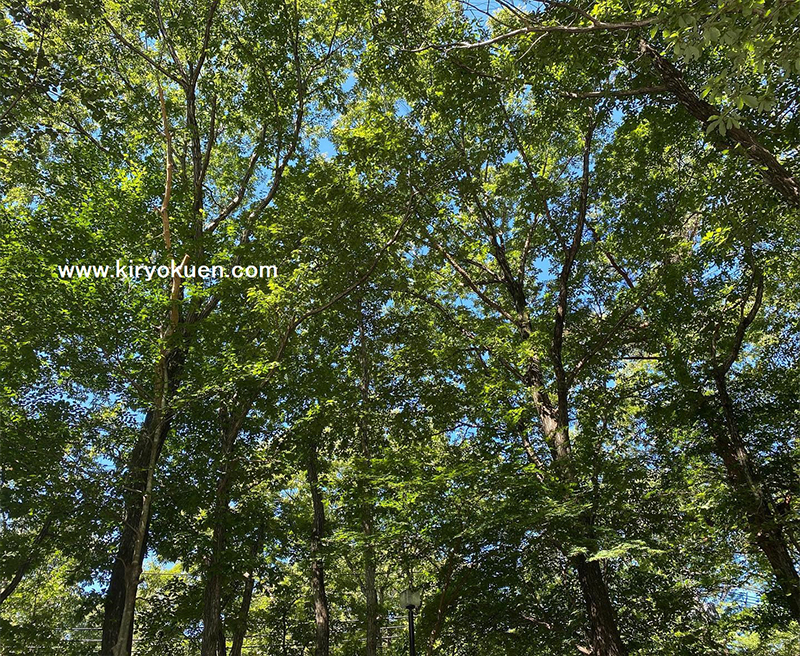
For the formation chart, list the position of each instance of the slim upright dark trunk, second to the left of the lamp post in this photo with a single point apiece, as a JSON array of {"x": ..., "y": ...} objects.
[{"x": 321, "y": 614}]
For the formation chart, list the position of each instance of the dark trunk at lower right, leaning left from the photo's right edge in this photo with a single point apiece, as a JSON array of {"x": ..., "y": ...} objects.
[{"x": 766, "y": 532}]
